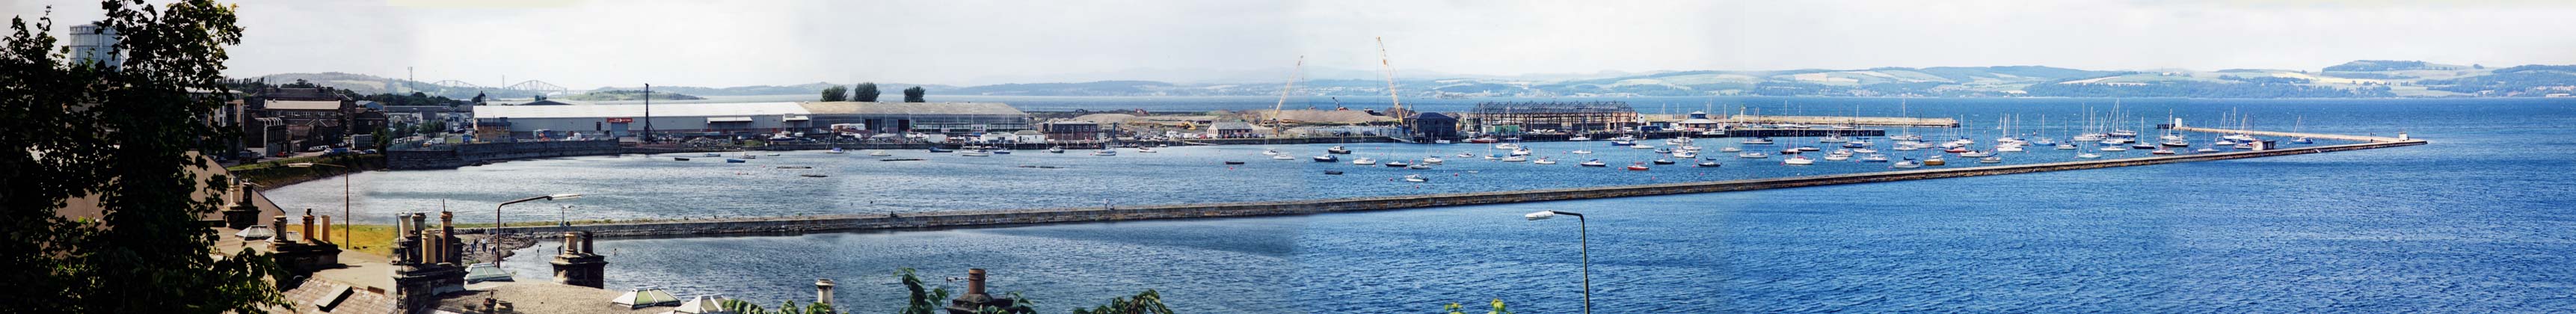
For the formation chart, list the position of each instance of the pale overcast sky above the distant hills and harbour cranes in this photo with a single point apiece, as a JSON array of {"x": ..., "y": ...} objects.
[{"x": 980, "y": 42}]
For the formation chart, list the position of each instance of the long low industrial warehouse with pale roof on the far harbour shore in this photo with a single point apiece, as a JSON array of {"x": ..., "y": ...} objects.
[{"x": 746, "y": 120}]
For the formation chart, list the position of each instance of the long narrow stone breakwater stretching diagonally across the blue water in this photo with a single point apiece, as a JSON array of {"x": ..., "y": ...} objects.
[{"x": 792, "y": 225}]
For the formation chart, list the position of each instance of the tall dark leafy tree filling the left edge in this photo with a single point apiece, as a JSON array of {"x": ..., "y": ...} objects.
[{"x": 125, "y": 138}]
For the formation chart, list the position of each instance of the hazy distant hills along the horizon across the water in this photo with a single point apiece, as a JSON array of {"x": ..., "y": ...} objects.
[{"x": 2366, "y": 78}]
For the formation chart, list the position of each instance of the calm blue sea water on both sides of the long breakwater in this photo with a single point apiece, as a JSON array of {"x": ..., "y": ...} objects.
[{"x": 2474, "y": 223}]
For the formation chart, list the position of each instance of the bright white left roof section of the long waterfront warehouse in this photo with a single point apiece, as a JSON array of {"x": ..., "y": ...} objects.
[{"x": 638, "y": 112}]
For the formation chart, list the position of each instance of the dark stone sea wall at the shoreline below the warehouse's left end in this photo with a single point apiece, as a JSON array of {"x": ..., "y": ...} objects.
[{"x": 460, "y": 156}]
